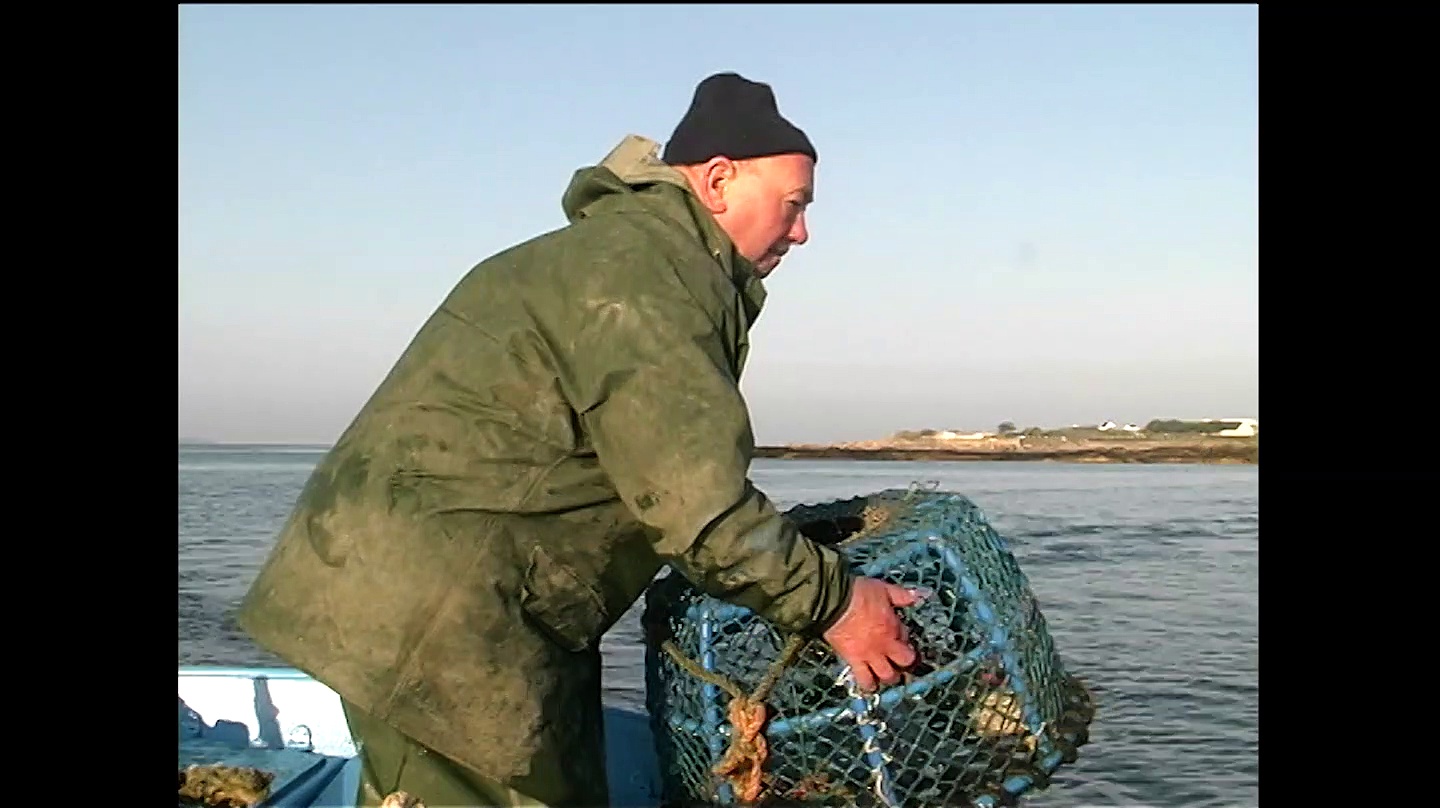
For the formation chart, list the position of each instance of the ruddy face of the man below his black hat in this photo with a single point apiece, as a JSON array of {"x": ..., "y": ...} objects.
[{"x": 764, "y": 207}]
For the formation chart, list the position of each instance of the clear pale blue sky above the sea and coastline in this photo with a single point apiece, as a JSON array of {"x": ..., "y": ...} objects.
[{"x": 1033, "y": 214}]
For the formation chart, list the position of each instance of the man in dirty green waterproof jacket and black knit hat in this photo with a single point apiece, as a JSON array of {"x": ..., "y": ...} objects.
[{"x": 567, "y": 424}]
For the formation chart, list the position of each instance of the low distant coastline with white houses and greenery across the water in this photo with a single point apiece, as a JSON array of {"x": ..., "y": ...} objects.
[{"x": 1228, "y": 443}]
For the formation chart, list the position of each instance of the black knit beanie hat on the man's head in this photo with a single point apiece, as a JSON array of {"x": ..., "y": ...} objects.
[{"x": 735, "y": 117}]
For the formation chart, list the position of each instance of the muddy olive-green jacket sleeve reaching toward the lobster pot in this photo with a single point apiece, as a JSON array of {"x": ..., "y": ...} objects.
[{"x": 673, "y": 433}]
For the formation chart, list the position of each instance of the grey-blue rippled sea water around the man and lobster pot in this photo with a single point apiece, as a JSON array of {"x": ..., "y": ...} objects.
[{"x": 1148, "y": 577}]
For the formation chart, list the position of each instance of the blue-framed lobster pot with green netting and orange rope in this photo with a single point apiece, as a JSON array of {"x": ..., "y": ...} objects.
[{"x": 989, "y": 715}]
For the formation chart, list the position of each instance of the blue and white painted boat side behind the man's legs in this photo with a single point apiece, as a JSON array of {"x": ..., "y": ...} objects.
[{"x": 286, "y": 722}]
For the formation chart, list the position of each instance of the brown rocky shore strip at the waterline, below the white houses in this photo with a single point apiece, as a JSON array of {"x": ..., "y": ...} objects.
[{"x": 1170, "y": 450}]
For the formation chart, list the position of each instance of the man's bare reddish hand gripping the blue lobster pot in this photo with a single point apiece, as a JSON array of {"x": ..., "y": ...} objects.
[{"x": 869, "y": 636}]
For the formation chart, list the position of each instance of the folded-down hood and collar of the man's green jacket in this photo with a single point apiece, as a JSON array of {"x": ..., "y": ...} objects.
[{"x": 623, "y": 181}]
